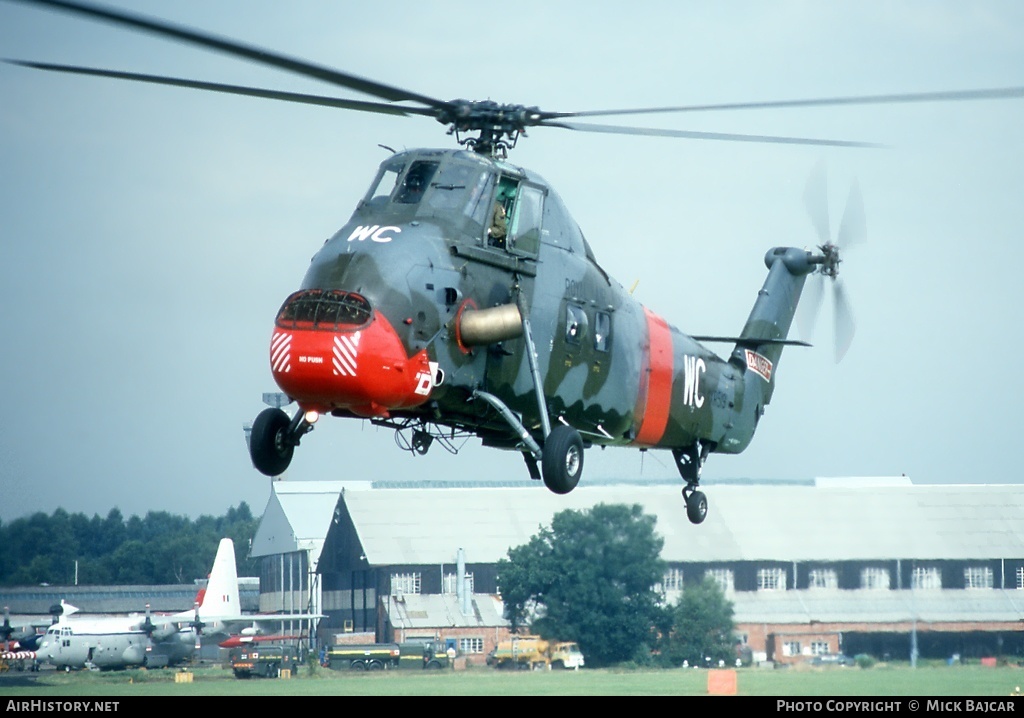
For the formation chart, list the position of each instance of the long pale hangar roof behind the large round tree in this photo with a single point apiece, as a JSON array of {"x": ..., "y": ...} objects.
[{"x": 832, "y": 522}]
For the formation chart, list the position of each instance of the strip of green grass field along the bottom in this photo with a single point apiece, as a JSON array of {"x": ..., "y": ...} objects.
[{"x": 881, "y": 681}]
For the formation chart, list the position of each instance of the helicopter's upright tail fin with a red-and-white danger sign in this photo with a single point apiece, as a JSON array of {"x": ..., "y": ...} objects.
[{"x": 760, "y": 345}]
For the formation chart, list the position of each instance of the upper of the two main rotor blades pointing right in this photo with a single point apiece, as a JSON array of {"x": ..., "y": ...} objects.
[{"x": 906, "y": 98}]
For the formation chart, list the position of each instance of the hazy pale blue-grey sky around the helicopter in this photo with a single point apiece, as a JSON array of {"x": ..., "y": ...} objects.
[{"x": 149, "y": 235}]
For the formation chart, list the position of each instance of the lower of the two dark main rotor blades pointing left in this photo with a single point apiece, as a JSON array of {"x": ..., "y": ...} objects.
[{"x": 382, "y": 108}]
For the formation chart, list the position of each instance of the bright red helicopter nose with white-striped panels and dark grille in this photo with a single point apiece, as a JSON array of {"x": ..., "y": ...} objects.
[{"x": 330, "y": 351}]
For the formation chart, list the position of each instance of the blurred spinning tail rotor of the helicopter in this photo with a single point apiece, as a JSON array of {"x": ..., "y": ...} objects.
[{"x": 851, "y": 232}]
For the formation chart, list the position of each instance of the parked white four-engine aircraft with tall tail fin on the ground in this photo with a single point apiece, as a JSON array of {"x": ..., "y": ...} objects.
[{"x": 116, "y": 643}]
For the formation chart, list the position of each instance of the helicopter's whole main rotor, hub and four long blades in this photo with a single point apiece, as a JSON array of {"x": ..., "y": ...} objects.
[{"x": 499, "y": 125}]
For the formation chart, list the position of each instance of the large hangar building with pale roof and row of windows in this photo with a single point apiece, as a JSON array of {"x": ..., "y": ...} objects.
[{"x": 854, "y": 566}]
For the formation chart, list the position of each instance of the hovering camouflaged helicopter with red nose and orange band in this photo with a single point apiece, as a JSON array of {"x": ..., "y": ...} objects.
[{"x": 422, "y": 315}]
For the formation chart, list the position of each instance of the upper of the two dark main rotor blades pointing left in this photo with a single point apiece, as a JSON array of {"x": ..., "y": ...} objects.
[{"x": 238, "y": 50}]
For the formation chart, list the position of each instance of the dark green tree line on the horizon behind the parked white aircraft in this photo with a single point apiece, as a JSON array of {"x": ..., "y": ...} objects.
[{"x": 161, "y": 548}]
